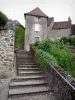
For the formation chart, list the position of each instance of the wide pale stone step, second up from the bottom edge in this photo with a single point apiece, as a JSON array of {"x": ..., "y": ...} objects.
[{"x": 27, "y": 91}]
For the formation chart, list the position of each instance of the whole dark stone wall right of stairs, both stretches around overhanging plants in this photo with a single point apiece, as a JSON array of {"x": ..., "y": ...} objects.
[{"x": 60, "y": 82}]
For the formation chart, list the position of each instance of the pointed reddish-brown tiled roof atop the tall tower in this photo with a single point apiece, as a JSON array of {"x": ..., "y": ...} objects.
[{"x": 36, "y": 12}]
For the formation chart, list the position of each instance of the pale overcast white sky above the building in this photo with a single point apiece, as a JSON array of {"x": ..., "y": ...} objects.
[{"x": 59, "y": 9}]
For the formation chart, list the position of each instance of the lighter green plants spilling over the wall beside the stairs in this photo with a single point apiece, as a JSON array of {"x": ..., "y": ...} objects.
[{"x": 44, "y": 58}]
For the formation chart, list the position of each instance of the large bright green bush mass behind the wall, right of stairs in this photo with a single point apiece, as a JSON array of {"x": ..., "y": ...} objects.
[{"x": 61, "y": 53}]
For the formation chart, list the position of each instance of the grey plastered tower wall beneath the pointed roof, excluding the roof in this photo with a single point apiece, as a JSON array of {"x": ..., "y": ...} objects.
[{"x": 30, "y": 32}]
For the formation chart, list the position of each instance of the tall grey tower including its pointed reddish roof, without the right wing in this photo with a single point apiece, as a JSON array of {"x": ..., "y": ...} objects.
[{"x": 35, "y": 27}]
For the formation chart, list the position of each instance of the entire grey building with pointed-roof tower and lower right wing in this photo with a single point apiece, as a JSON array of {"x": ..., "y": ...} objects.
[{"x": 38, "y": 25}]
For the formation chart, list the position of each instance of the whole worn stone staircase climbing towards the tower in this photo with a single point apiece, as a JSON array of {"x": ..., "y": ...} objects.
[{"x": 30, "y": 83}]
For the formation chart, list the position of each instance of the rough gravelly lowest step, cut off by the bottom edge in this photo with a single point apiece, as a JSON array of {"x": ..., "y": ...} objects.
[{"x": 38, "y": 96}]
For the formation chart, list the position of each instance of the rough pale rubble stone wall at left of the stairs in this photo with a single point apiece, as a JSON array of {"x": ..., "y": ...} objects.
[{"x": 6, "y": 53}]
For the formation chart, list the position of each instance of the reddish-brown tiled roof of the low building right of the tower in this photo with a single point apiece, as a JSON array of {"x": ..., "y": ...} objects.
[{"x": 62, "y": 25}]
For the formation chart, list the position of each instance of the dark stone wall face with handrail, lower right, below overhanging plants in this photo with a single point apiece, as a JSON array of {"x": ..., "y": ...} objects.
[{"x": 59, "y": 83}]
